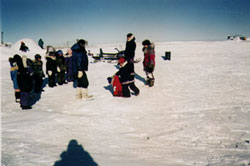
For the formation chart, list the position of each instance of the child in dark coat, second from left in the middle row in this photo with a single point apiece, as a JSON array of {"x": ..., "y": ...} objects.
[{"x": 61, "y": 67}]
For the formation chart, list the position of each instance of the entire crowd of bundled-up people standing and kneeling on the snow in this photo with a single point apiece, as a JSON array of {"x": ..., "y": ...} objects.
[{"x": 27, "y": 75}]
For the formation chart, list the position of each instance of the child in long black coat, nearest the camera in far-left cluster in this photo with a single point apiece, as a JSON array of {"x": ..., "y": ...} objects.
[{"x": 24, "y": 80}]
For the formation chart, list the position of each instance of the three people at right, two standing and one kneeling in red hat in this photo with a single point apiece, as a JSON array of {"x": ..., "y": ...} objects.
[{"x": 126, "y": 71}]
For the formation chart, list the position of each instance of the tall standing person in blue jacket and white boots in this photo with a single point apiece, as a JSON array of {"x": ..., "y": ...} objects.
[{"x": 80, "y": 66}]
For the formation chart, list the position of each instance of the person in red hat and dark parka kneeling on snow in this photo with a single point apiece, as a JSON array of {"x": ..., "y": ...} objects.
[{"x": 127, "y": 75}]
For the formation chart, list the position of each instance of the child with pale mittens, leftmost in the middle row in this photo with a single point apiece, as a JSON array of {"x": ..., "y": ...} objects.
[{"x": 51, "y": 68}]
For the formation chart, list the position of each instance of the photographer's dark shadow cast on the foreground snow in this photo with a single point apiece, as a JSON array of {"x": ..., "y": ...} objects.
[{"x": 75, "y": 155}]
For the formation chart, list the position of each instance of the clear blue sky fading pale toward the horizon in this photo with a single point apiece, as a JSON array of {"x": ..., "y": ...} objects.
[{"x": 108, "y": 21}]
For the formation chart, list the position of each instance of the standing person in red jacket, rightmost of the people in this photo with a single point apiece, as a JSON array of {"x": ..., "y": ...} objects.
[{"x": 149, "y": 61}]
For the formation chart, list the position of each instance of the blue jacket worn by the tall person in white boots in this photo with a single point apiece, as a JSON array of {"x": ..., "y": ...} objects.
[{"x": 79, "y": 59}]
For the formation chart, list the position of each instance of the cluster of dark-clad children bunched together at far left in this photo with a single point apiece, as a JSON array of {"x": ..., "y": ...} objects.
[{"x": 27, "y": 76}]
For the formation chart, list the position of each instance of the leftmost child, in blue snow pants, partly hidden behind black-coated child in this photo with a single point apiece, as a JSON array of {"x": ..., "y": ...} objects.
[{"x": 13, "y": 74}]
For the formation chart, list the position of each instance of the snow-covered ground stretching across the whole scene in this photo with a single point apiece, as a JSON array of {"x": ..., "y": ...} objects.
[{"x": 198, "y": 112}]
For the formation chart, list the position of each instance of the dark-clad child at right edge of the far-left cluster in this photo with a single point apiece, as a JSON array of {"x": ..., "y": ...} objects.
[{"x": 38, "y": 73}]
